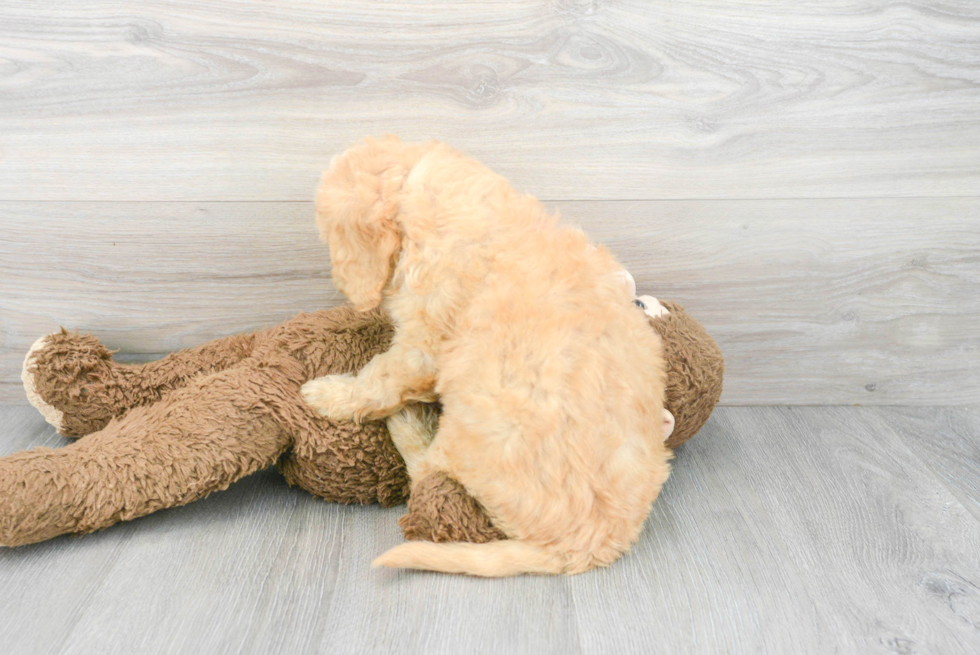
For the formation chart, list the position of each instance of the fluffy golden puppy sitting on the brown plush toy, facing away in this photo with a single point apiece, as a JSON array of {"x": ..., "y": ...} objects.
[{"x": 551, "y": 381}]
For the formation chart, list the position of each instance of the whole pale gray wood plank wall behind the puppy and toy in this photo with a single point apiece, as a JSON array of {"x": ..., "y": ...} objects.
[{"x": 750, "y": 122}]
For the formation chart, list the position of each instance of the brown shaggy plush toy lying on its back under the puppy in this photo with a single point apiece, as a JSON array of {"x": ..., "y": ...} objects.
[{"x": 168, "y": 432}]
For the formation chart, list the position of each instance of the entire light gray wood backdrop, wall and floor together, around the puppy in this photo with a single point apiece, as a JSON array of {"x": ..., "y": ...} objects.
[{"x": 803, "y": 176}]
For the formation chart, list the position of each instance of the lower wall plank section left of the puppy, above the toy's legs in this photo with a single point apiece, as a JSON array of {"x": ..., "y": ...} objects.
[{"x": 149, "y": 278}]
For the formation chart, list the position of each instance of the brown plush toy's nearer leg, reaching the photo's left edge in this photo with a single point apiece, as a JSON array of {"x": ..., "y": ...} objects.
[{"x": 197, "y": 439}]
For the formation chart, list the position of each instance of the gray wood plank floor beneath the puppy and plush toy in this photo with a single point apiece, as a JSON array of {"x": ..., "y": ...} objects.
[{"x": 803, "y": 530}]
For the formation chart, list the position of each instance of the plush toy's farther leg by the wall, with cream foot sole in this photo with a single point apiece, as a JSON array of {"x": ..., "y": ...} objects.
[{"x": 72, "y": 380}]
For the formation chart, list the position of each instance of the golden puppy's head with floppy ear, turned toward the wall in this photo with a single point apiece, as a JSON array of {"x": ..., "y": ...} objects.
[{"x": 357, "y": 214}]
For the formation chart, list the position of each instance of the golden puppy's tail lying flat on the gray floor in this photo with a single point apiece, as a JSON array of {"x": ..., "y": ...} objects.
[{"x": 495, "y": 559}]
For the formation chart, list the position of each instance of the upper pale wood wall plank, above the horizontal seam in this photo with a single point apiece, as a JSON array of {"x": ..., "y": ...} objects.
[{"x": 571, "y": 99}]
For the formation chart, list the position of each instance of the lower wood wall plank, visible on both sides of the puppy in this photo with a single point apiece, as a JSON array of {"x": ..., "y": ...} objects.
[{"x": 813, "y": 302}]
